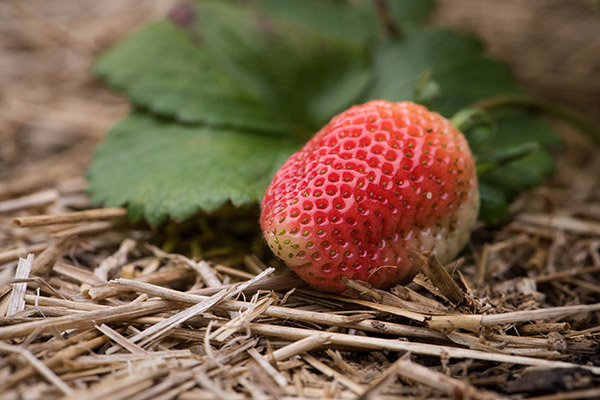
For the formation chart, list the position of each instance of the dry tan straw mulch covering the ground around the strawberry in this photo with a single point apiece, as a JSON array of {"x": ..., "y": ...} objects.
[{"x": 98, "y": 308}]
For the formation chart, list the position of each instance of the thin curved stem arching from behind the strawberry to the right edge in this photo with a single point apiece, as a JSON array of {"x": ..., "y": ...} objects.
[{"x": 567, "y": 114}]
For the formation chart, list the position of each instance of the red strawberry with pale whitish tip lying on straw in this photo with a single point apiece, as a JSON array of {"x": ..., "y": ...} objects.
[{"x": 378, "y": 181}]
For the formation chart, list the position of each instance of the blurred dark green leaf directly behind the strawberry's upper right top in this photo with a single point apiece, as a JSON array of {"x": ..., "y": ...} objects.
[{"x": 455, "y": 63}]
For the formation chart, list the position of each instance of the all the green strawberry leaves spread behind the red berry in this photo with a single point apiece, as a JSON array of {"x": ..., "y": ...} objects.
[{"x": 225, "y": 91}]
